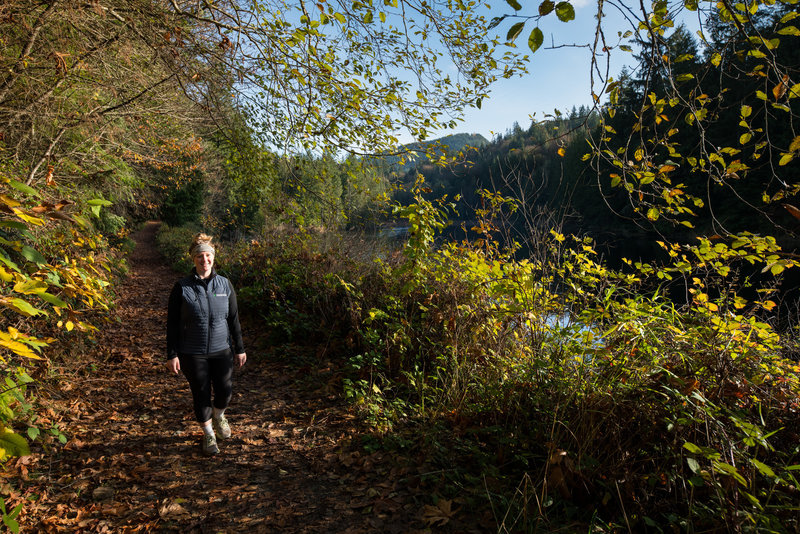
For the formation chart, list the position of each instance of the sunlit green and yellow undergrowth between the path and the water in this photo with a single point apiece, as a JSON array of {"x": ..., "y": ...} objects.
[{"x": 552, "y": 391}]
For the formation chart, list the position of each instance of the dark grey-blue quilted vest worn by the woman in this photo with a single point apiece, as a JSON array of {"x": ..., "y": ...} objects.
[{"x": 204, "y": 314}]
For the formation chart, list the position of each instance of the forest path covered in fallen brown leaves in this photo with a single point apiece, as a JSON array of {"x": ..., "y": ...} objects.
[{"x": 133, "y": 463}]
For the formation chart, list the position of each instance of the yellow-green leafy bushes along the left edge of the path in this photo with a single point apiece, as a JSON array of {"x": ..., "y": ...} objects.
[{"x": 56, "y": 271}]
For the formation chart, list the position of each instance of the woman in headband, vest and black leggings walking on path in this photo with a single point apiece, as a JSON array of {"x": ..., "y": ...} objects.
[{"x": 203, "y": 340}]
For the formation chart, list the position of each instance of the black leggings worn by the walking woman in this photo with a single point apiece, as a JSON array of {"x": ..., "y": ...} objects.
[{"x": 202, "y": 373}]
